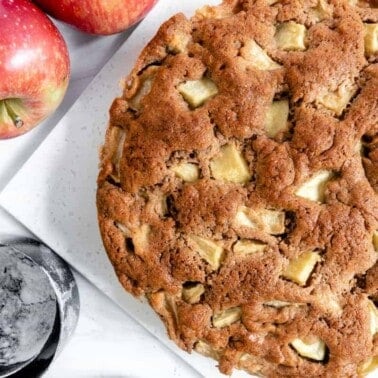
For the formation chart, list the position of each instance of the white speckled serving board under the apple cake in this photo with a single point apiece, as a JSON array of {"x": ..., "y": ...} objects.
[{"x": 53, "y": 194}]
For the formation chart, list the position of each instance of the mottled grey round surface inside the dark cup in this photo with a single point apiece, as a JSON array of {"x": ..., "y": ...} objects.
[{"x": 27, "y": 307}]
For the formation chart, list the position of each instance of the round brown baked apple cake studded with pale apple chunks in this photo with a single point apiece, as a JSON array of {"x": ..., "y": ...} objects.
[{"x": 238, "y": 187}]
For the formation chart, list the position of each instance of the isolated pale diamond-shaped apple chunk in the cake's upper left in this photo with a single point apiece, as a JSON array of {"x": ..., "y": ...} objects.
[{"x": 197, "y": 92}]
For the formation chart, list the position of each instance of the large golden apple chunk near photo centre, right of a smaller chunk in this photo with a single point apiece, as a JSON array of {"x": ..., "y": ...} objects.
[{"x": 229, "y": 165}]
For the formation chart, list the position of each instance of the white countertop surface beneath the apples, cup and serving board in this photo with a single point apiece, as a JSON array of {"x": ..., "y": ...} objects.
[{"x": 107, "y": 342}]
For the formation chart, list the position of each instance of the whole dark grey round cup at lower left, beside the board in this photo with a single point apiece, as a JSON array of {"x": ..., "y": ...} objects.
[{"x": 53, "y": 297}]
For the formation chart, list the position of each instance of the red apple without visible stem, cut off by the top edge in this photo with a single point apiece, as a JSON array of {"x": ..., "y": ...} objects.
[{"x": 100, "y": 17}]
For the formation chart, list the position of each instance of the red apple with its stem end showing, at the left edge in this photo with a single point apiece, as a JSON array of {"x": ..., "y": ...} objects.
[{"x": 34, "y": 67}]
